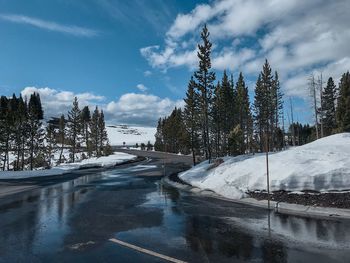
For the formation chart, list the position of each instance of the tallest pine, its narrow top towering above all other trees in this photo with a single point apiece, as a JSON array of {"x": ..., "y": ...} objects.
[{"x": 204, "y": 84}]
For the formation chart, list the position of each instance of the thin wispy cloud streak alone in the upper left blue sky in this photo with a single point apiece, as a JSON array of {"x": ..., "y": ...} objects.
[{"x": 49, "y": 25}]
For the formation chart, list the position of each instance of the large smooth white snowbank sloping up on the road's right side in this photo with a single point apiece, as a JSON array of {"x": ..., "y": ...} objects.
[{"x": 323, "y": 165}]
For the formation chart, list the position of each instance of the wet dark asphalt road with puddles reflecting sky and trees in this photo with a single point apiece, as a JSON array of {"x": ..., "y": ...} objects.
[{"x": 72, "y": 221}]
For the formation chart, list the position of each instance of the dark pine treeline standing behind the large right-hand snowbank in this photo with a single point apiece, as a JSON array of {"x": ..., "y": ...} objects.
[{"x": 218, "y": 118}]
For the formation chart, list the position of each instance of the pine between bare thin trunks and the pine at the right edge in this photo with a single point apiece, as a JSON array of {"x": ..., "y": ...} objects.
[{"x": 328, "y": 107}]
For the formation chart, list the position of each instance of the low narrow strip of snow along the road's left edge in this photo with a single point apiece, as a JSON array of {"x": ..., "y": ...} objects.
[{"x": 105, "y": 162}]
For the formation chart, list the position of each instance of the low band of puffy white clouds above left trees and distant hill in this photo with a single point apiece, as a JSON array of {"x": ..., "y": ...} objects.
[{"x": 130, "y": 108}]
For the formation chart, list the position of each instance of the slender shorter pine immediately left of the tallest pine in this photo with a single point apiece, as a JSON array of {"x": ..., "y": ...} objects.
[{"x": 191, "y": 119}]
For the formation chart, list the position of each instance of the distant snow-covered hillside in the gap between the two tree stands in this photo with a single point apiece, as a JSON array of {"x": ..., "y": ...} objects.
[{"x": 118, "y": 134}]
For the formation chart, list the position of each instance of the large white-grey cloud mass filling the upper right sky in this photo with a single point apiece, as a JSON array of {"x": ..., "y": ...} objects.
[{"x": 297, "y": 37}]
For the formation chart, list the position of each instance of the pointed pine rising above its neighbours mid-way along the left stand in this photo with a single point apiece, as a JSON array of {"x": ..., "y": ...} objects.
[{"x": 74, "y": 128}]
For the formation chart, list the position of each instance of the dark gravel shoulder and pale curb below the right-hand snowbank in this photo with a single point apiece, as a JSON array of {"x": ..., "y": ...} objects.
[{"x": 313, "y": 205}]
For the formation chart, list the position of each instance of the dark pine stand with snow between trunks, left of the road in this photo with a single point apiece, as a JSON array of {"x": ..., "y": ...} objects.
[{"x": 26, "y": 143}]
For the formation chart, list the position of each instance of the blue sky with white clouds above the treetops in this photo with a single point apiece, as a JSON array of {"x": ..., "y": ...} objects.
[{"x": 134, "y": 58}]
